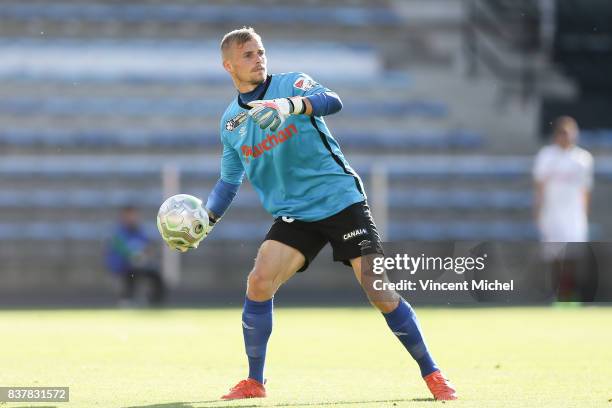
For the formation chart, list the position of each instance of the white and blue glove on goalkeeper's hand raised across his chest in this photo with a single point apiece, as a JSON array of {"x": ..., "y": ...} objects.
[{"x": 273, "y": 113}]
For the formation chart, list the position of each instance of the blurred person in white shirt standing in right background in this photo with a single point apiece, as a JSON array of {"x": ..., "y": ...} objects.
[{"x": 563, "y": 179}]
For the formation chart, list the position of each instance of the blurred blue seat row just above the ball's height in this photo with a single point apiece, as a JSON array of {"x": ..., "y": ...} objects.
[{"x": 436, "y": 167}]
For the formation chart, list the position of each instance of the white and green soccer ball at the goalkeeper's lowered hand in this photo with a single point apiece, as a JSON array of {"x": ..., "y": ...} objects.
[{"x": 182, "y": 221}]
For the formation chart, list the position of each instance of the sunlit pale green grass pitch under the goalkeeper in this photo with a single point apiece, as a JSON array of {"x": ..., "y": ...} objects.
[{"x": 336, "y": 357}]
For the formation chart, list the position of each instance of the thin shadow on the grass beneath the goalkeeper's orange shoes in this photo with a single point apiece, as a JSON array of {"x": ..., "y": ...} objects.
[{"x": 288, "y": 404}]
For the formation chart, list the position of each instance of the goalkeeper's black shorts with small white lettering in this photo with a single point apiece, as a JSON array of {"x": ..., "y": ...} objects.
[{"x": 351, "y": 233}]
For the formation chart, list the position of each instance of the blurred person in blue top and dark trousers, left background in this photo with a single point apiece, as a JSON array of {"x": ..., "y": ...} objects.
[{"x": 131, "y": 258}]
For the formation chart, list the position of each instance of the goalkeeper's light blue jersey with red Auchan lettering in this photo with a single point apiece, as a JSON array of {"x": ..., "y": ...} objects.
[{"x": 298, "y": 171}]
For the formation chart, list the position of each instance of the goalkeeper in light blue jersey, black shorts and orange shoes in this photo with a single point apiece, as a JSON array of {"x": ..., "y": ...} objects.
[{"x": 274, "y": 133}]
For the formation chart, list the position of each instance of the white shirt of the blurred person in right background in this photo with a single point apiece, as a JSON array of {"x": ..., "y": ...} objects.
[{"x": 566, "y": 175}]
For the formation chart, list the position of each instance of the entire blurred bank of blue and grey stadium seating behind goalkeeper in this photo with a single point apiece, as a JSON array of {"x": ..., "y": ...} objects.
[{"x": 99, "y": 96}]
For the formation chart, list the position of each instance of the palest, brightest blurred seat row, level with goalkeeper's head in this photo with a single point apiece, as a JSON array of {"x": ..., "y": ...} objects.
[{"x": 73, "y": 61}]
